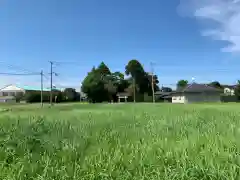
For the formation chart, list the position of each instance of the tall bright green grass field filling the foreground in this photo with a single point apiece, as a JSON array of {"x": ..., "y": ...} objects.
[{"x": 135, "y": 142}]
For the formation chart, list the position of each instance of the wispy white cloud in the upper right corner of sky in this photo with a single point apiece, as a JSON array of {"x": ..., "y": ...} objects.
[{"x": 225, "y": 14}]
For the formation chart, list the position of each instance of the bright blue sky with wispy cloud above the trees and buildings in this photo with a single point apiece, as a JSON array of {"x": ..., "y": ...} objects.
[{"x": 184, "y": 39}]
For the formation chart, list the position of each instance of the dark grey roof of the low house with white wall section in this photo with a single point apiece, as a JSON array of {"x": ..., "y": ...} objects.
[{"x": 194, "y": 87}]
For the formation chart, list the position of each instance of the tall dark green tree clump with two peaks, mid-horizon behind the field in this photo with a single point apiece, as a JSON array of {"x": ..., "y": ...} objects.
[{"x": 101, "y": 84}]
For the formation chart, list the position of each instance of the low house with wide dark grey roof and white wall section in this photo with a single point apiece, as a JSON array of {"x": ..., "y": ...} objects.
[{"x": 196, "y": 93}]
